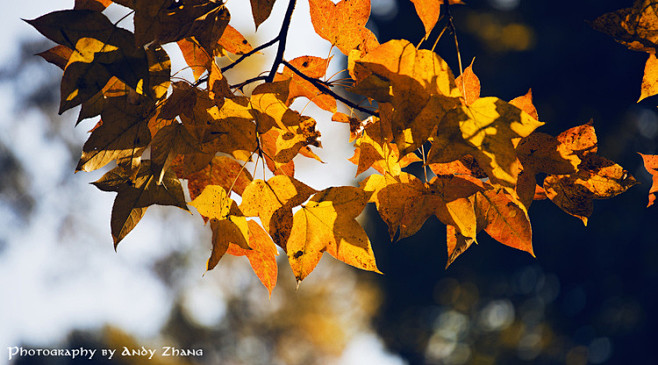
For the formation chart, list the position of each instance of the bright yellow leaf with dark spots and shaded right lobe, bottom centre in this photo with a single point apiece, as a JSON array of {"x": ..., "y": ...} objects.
[{"x": 327, "y": 223}]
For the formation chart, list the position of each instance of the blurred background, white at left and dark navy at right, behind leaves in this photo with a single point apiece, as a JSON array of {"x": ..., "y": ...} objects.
[{"x": 588, "y": 298}]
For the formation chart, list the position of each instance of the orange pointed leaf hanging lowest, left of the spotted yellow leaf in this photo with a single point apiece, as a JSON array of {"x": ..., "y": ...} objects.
[{"x": 262, "y": 255}]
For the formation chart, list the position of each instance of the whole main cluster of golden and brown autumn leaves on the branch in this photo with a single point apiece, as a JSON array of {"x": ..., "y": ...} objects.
[{"x": 483, "y": 160}]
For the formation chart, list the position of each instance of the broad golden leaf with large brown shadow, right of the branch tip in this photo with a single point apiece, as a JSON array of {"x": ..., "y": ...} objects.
[{"x": 417, "y": 85}]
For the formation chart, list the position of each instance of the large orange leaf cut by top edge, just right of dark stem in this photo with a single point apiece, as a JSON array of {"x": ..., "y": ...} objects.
[{"x": 343, "y": 24}]
